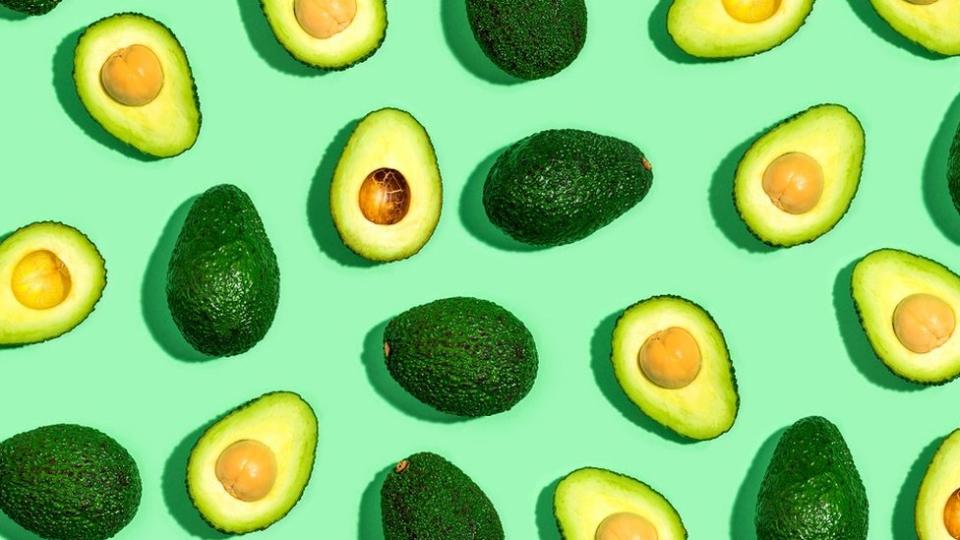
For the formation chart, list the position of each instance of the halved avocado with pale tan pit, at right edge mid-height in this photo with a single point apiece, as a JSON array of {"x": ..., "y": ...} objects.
[{"x": 907, "y": 306}]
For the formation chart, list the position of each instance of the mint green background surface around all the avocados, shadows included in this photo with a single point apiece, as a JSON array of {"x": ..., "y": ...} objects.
[{"x": 276, "y": 129}]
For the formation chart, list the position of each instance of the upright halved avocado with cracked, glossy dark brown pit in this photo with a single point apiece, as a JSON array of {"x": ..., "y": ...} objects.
[{"x": 385, "y": 197}]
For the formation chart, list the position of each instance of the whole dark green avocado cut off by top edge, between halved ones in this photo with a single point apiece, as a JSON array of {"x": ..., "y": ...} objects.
[{"x": 529, "y": 39}]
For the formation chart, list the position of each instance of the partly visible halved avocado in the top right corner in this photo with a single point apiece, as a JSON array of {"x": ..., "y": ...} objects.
[{"x": 932, "y": 24}]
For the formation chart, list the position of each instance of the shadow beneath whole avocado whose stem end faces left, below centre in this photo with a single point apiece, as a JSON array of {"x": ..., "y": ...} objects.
[{"x": 389, "y": 389}]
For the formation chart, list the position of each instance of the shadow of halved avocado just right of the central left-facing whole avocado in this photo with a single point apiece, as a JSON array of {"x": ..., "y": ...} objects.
[{"x": 601, "y": 350}]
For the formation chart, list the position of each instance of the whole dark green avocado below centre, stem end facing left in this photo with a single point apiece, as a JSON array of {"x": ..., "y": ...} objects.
[{"x": 462, "y": 356}]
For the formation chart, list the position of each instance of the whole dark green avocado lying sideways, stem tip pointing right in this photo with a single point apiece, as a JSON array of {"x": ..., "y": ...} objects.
[{"x": 560, "y": 186}]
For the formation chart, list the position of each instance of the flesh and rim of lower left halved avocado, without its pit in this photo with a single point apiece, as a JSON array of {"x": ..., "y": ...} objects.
[{"x": 284, "y": 423}]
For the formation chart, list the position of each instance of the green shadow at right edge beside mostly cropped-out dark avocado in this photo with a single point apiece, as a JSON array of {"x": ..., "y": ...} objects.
[{"x": 936, "y": 194}]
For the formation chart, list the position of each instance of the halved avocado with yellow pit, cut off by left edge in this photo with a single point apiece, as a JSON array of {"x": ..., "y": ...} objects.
[{"x": 53, "y": 277}]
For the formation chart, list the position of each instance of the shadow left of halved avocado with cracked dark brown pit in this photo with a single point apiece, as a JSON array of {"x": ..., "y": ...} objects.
[{"x": 318, "y": 204}]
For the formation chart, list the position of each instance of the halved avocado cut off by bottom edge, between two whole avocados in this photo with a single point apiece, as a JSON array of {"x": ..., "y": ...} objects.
[{"x": 597, "y": 504}]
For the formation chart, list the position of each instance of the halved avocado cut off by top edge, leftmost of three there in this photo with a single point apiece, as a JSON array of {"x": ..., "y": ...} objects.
[{"x": 328, "y": 34}]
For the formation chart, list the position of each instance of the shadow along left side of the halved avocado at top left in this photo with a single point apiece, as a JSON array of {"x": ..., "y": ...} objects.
[{"x": 66, "y": 91}]
